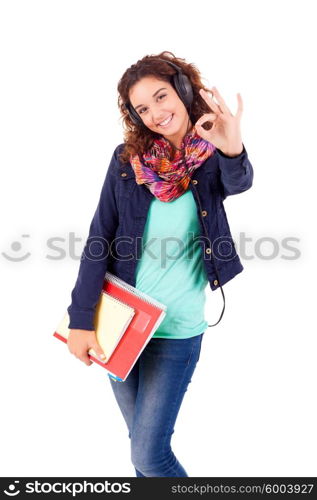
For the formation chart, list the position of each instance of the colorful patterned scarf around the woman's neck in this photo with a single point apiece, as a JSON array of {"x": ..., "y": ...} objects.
[{"x": 168, "y": 179}]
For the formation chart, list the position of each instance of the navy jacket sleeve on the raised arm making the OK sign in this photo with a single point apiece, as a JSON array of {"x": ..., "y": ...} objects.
[{"x": 236, "y": 173}]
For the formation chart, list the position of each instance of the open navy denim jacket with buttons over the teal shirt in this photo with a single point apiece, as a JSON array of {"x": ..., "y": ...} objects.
[{"x": 114, "y": 242}]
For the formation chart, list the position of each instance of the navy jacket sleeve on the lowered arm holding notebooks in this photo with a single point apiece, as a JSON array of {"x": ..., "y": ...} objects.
[{"x": 94, "y": 258}]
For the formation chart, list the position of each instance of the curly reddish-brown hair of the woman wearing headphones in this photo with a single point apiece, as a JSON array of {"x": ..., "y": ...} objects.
[{"x": 139, "y": 139}]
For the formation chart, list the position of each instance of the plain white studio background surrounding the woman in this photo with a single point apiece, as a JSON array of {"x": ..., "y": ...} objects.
[{"x": 250, "y": 409}]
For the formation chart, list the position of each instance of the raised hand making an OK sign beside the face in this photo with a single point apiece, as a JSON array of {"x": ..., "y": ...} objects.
[{"x": 225, "y": 133}]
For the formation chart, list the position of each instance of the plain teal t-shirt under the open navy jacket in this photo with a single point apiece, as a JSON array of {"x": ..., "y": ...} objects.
[{"x": 171, "y": 267}]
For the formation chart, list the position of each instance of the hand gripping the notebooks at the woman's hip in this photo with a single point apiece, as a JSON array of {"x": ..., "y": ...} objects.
[{"x": 80, "y": 341}]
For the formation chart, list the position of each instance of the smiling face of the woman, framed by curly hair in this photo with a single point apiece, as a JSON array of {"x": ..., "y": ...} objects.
[{"x": 160, "y": 108}]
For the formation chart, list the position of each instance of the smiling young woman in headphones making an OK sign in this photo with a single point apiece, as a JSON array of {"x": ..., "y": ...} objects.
[{"x": 164, "y": 187}]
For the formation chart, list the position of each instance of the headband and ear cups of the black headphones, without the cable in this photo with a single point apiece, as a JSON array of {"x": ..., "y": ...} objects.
[{"x": 182, "y": 86}]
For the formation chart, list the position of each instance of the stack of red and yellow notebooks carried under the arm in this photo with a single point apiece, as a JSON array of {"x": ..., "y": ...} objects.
[{"x": 125, "y": 320}]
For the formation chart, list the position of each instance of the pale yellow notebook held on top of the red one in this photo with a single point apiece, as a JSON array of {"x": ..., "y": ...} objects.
[{"x": 111, "y": 320}]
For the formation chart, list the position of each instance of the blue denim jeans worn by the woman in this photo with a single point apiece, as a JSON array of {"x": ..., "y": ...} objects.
[{"x": 150, "y": 399}]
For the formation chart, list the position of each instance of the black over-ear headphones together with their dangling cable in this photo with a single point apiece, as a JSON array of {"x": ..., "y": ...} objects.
[{"x": 184, "y": 90}]
